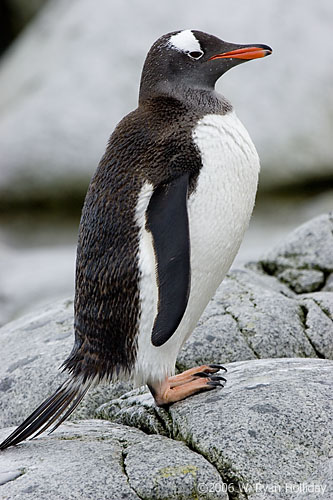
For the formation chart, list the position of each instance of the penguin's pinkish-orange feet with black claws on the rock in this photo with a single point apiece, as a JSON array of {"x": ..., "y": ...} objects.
[{"x": 183, "y": 385}]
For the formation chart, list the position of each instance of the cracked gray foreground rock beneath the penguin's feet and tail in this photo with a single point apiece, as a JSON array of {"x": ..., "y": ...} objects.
[{"x": 267, "y": 434}]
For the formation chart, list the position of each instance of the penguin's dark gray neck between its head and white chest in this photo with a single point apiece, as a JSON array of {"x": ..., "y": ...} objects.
[{"x": 201, "y": 100}]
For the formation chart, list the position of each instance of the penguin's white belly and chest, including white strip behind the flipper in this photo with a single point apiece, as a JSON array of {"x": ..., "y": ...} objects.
[{"x": 219, "y": 211}]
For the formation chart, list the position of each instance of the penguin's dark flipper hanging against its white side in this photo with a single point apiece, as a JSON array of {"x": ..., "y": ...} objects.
[{"x": 167, "y": 220}]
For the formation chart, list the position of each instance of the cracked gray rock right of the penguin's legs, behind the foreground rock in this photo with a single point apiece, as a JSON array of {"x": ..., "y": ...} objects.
[{"x": 254, "y": 315}]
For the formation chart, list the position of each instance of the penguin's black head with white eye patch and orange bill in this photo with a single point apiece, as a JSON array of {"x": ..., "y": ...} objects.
[{"x": 192, "y": 59}]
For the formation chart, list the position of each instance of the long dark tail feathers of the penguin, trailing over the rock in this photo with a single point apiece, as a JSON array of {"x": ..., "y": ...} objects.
[{"x": 65, "y": 399}]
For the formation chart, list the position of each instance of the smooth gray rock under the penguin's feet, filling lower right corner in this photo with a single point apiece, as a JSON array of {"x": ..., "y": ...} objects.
[{"x": 268, "y": 431}]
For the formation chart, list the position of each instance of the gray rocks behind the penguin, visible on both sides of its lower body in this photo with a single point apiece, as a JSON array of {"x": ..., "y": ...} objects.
[{"x": 253, "y": 315}]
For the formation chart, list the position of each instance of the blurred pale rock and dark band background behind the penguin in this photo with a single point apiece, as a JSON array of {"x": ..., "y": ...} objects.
[{"x": 69, "y": 71}]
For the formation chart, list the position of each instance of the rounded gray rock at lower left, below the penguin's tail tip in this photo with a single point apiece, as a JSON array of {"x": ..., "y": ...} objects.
[{"x": 97, "y": 459}]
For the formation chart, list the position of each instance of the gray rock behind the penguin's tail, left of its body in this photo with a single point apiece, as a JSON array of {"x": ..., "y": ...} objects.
[{"x": 33, "y": 349}]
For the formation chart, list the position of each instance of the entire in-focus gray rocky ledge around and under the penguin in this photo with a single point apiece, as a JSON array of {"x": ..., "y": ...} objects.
[{"x": 265, "y": 435}]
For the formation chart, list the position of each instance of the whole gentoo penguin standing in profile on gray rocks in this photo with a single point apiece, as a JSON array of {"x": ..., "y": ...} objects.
[{"x": 162, "y": 221}]
